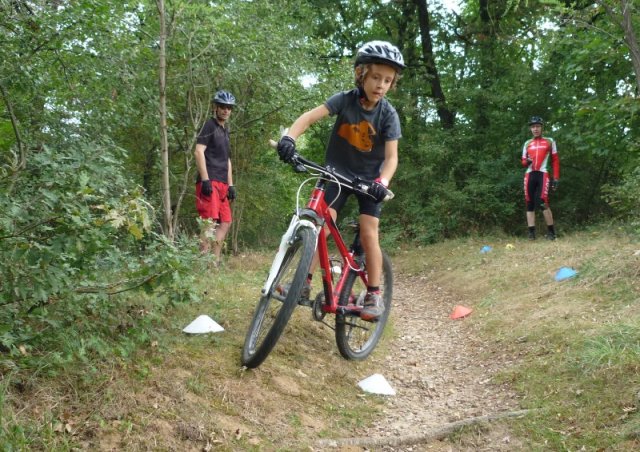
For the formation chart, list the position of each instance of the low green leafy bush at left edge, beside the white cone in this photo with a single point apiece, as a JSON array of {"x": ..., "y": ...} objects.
[{"x": 75, "y": 234}]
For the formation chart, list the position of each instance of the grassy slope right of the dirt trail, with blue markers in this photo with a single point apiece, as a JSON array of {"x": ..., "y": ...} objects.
[{"x": 578, "y": 340}]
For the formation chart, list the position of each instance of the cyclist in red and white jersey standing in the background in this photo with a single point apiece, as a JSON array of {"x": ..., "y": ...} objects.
[{"x": 536, "y": 153}]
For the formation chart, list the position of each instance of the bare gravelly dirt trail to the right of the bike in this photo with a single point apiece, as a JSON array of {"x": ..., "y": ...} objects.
[{"x": 440, "y": 370}]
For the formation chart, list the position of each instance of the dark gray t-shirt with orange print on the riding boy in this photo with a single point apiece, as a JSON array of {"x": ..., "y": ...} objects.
[{"x": 356, "y": 145}]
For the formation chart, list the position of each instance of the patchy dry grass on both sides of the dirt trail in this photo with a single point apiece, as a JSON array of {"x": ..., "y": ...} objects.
[{"x": 576, "y": 343}]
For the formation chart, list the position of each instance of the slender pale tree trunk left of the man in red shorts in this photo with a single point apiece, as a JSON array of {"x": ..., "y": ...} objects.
[{"x": 164, "y": 140}]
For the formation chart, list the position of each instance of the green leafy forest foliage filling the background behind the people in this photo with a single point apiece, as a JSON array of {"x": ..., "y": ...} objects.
[{"x": 80, "y": 173}]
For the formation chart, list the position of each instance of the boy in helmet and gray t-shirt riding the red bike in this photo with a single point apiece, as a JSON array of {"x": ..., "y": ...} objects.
[{"x": 363, "y": 144}]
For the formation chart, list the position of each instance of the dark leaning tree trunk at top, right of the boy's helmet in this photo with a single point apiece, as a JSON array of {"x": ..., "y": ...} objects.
[{"x": 447, "y": 117}]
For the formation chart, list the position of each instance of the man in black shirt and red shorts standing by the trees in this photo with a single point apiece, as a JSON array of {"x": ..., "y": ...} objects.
[{"x": 214, "y": 184}]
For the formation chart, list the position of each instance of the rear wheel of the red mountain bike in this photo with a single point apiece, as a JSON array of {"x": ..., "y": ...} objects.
[{"x": 355, "y": 337}]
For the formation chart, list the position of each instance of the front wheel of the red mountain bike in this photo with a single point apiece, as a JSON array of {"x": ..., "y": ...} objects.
[{"x": 276, "y": 306}]
